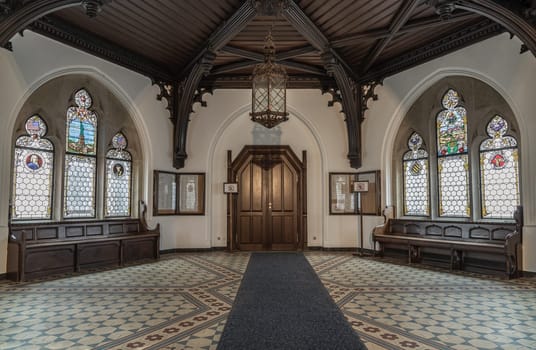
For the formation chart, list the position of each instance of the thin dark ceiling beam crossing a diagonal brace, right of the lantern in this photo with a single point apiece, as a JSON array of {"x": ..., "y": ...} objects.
[{"x": 411, "y": 26}]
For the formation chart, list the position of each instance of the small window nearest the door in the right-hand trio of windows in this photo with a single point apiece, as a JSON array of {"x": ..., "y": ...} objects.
[{"x": 416, "y": 189}]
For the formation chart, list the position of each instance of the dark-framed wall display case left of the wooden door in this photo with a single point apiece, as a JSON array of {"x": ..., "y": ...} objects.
[{"x": 178, "y": 193}]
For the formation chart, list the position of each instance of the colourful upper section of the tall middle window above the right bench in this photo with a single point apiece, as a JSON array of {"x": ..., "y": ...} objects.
[{"x": 451, "y": 126}]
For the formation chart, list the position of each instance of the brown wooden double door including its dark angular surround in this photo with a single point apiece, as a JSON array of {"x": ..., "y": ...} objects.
[{"x": 269, "y": 208}]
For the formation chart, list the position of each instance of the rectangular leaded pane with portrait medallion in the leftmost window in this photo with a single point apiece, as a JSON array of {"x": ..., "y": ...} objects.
[{"x": 32, "y": 185}]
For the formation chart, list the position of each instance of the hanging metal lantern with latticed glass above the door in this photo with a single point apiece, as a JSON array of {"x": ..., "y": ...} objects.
[{"x": 269, "y": 95}]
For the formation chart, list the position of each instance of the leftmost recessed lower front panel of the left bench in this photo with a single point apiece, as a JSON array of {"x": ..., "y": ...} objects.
[{"x": 40, "y": 261}]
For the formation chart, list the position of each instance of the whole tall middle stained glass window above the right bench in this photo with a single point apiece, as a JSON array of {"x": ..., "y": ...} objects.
[{"x": 453, "y": 161}]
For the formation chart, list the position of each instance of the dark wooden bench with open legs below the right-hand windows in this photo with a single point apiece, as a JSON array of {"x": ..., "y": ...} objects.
[{"x": 488, "y": 245}]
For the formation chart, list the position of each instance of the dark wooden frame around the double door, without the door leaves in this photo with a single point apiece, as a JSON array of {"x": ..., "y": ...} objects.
[{"x": 299, "y": 166}]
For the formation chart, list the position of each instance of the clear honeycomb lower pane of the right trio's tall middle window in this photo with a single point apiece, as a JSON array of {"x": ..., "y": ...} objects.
[{"x": 453, "y": 186}]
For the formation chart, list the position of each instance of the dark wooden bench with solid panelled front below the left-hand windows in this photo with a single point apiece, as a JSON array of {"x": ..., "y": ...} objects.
[{"x": 42, "y": 249}]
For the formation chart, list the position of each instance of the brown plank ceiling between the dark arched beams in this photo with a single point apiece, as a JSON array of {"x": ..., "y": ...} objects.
[{"x": 161, "y": 38}]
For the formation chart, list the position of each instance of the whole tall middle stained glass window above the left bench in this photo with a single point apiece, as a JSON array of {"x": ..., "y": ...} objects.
[{"x": 80, "y": 158}]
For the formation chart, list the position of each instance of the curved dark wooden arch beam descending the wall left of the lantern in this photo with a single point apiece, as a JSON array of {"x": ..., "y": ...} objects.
[{"x": 199, "y": 68}]
